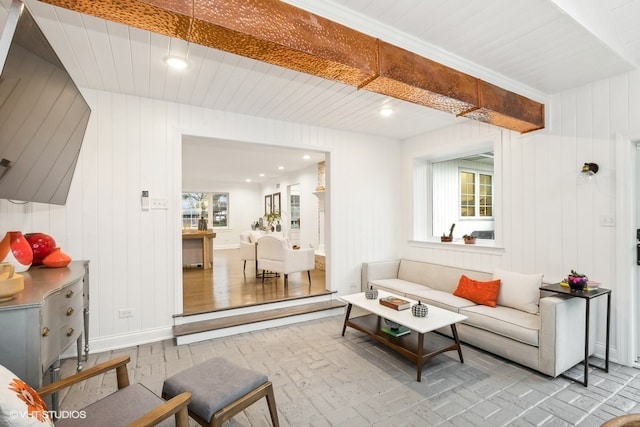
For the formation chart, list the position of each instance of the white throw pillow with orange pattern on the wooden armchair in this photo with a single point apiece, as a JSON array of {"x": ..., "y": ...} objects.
[{"x": 20, "y": 405}]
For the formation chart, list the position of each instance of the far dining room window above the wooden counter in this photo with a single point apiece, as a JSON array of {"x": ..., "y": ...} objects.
[{"x": 214, "y": 207}]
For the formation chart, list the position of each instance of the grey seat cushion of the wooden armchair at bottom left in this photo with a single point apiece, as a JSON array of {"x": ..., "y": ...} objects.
[{"x": 117, "y": 409}]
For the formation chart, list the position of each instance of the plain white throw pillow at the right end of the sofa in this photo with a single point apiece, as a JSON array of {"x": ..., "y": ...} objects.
[{"x": 518, "y": 290}]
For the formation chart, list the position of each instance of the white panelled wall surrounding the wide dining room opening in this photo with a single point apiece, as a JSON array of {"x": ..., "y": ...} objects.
[{"x": 134, "y": 144}]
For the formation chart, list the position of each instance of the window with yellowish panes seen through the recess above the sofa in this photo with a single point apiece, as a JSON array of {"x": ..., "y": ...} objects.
[{"x": 476, "y": 194}]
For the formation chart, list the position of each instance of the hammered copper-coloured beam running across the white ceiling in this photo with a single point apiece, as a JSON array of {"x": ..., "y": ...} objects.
[{"x": 281, "y": 34}]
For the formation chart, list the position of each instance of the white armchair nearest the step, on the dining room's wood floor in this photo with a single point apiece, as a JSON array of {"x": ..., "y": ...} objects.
[{"x": 275, "y": 255}]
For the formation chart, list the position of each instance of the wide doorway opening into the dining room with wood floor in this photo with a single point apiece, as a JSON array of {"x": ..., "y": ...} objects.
[{"x": 248, "y": 173}]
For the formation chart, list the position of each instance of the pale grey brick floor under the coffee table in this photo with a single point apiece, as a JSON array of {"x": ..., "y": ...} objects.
[{"x": 324, "y": 379}]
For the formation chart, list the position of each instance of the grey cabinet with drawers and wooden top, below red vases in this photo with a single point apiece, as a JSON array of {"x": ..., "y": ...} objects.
[{"x": 44, "y": 320}]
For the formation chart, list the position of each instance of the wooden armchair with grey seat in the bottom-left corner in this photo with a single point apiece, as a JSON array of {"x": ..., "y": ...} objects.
[{"x": 132, "y": 405}]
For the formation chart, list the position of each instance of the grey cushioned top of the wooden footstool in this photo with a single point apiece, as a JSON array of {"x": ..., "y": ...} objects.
[{"x": 213, "y": 384}]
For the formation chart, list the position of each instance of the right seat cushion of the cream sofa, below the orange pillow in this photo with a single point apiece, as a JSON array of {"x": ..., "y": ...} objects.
[{"x": 505, "y": 321}]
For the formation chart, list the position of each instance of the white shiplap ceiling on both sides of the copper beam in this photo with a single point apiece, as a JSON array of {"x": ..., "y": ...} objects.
[{"x": 532, "y": 47}]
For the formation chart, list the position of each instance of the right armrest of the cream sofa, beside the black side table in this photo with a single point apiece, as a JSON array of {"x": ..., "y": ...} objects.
[{"x": 562, "y": 328}]
